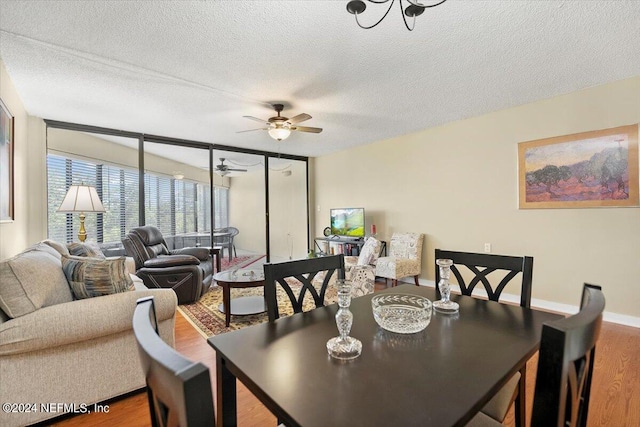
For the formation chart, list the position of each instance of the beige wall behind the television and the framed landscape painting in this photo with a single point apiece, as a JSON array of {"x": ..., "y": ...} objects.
[{"x": 457, "y": 183}]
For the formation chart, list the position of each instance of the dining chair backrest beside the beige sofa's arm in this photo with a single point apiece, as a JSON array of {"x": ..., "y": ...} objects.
[{"x": 179, "y": 390}]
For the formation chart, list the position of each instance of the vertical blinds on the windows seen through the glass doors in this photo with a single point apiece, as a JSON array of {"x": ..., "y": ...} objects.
[{"x": 174, "y": 206}]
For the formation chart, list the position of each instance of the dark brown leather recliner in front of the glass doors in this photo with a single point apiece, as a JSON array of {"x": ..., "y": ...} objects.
[{"x": 188, "y": 271}]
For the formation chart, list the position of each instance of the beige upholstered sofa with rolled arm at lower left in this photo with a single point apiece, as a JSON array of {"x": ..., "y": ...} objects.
[{"x": 60, "y": 350}]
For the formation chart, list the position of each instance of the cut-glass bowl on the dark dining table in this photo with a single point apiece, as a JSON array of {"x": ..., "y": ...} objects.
[{"x": 401, "y": 313}]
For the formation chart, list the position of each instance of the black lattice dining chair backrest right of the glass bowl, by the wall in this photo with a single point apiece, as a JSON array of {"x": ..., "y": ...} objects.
[{"x": 481, "y": 265}]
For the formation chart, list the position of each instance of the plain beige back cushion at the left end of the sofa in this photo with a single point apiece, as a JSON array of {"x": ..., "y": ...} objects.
[{"x": 31, "y": 280}]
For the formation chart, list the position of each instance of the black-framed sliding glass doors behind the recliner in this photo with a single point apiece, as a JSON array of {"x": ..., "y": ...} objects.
[{"x": 187, "y": 189}]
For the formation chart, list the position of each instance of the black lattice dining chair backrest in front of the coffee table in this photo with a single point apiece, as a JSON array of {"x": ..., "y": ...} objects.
[{"x": 302, "y": 272}]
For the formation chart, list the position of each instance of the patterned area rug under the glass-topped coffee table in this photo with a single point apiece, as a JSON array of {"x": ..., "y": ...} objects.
[{"x": 209, "y": 320}]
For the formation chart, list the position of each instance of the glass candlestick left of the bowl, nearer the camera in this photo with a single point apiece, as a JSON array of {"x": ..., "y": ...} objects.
[{"x": 343, "y": 346}]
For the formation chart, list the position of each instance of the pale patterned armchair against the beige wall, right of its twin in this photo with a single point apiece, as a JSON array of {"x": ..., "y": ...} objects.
[{"x": 404, "y": 260}]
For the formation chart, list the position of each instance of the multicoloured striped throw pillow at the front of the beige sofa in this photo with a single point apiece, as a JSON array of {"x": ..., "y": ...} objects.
[{"x": 92, "y": 277}]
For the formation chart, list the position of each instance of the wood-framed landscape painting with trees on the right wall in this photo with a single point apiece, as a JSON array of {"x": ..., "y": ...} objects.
[{"x": 589, "y": 169}]
